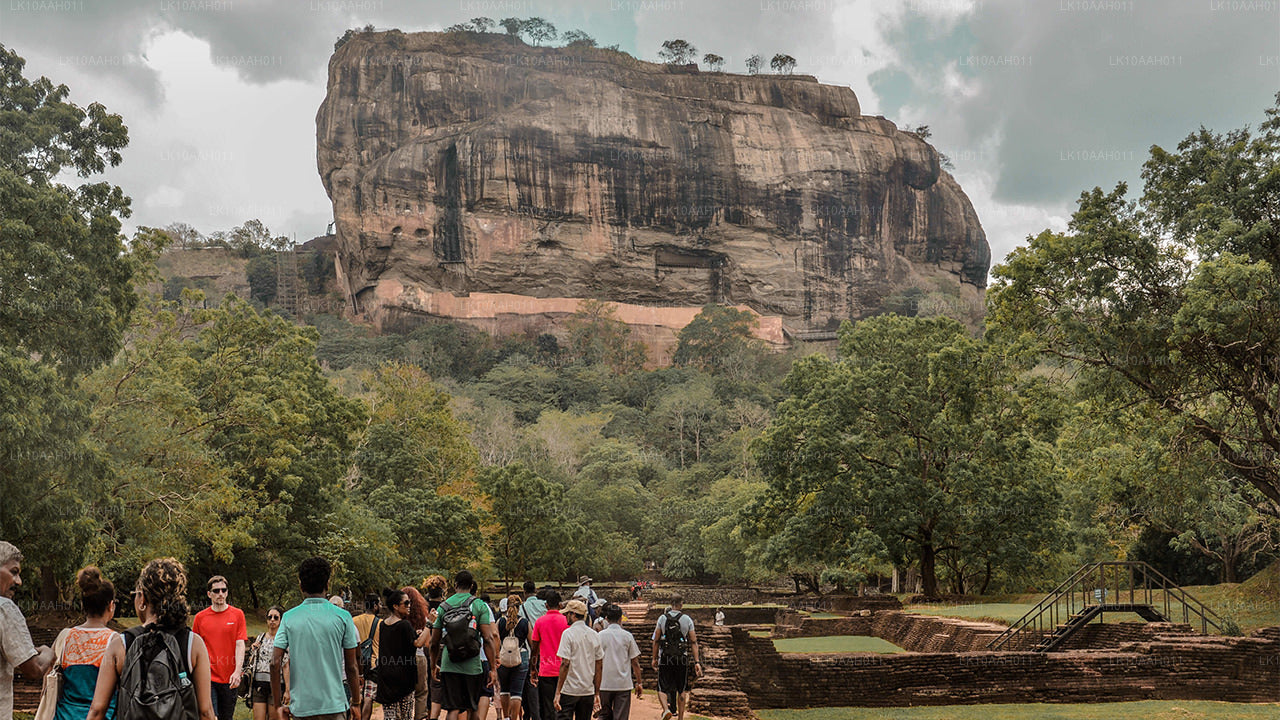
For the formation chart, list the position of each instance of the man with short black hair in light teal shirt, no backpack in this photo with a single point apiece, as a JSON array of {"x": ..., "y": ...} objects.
[{"x": 322, "y": 645}]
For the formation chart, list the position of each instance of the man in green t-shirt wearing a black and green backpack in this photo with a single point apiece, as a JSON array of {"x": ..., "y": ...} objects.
[{"x": 464, "y": 680}]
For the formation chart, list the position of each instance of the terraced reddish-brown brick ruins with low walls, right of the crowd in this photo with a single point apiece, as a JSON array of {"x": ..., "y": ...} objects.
[{"x": 947, "y": 663}]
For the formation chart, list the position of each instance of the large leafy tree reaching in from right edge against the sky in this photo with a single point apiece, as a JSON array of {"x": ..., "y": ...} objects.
[{"x": 1173, "y": 300}]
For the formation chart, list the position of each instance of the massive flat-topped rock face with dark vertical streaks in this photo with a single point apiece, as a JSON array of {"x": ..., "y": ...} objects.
[{"x": 477, "y": 177}]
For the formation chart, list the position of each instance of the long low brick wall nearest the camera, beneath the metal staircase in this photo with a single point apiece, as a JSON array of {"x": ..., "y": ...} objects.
[{"x": 1171, "y": 668}]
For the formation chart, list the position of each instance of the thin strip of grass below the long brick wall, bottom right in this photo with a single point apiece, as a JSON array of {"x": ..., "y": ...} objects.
[{"x": 1145, "y": 710}]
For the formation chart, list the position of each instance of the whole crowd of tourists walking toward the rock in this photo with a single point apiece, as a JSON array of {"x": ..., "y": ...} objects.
[{"x": 442, "y": 651}]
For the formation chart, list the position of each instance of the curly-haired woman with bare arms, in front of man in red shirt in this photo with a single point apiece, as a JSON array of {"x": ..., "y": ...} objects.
[{"x": 161, "y": 600}]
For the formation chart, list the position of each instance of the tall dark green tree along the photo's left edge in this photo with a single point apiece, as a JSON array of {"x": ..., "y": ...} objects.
[{"x": 67, "y": 291}]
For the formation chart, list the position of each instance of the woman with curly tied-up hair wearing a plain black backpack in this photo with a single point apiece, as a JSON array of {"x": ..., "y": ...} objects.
[{"x": 161, "y": 600}]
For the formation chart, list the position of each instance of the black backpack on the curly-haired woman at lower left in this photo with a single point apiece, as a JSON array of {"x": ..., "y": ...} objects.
[{"x": 157, "y": 682}]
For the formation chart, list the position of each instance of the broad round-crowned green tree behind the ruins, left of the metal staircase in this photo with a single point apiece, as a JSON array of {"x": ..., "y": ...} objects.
[{"x": 918, "y": 436}]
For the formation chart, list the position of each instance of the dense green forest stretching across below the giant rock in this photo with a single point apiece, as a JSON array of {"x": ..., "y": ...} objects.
[{"x": 1122, "y": 403}]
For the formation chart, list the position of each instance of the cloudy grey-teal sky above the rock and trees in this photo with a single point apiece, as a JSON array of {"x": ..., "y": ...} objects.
[{"x": 1035, "y": 102}]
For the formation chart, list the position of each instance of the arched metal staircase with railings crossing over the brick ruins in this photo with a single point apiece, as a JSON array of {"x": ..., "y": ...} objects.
[{"x": 1100, "y": 589}]
